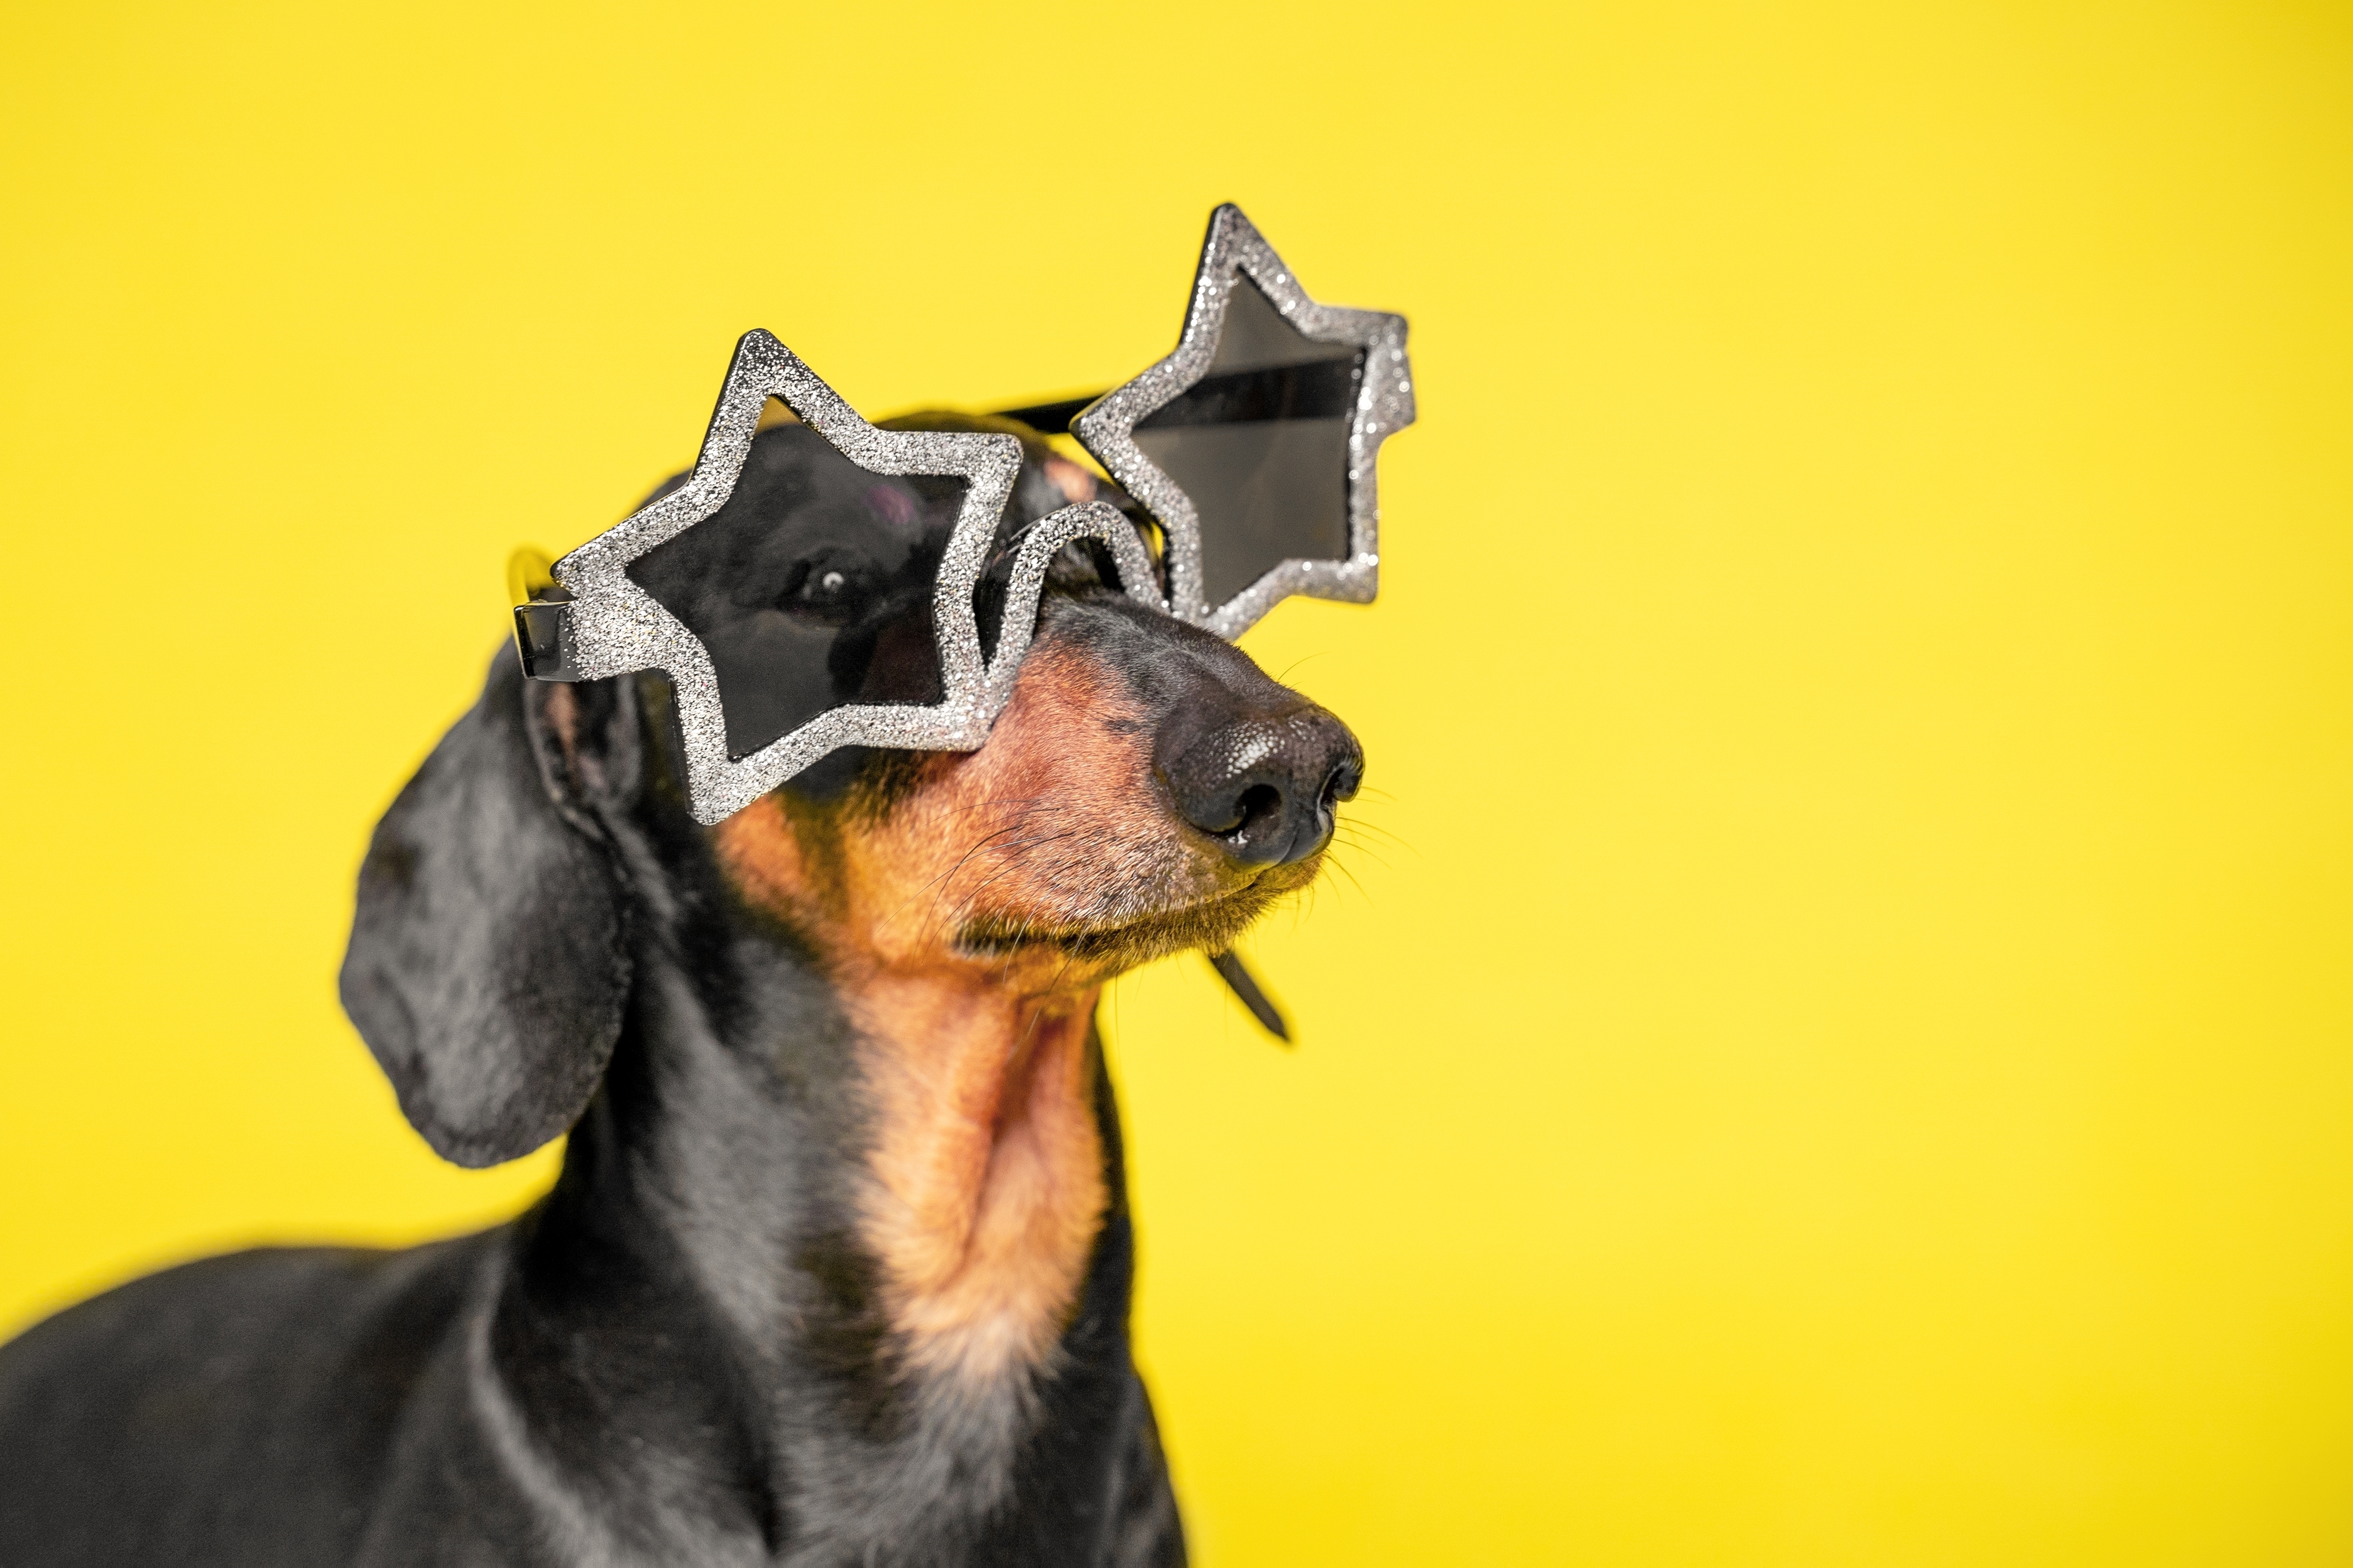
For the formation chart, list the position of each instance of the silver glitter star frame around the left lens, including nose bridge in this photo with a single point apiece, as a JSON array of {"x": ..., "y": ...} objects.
[{"x": 613, "y": 627}]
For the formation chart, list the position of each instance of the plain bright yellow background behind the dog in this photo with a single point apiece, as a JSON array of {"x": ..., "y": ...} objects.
[{"x": 1844, "y": 1054}]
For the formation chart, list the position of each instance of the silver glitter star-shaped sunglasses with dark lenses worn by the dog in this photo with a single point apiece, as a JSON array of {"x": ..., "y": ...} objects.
[{"x": 912, "y": 604}]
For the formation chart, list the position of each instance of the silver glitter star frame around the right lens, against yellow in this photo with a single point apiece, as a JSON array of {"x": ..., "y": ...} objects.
[{"x": 1385, "y": 406}]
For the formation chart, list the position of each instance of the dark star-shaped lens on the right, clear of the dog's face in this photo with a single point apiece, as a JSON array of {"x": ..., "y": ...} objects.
[{"x": 1262, "y": 446}]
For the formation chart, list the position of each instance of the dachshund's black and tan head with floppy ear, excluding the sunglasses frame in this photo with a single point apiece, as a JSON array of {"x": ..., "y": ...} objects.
[{"x": 1147, "y": 790}]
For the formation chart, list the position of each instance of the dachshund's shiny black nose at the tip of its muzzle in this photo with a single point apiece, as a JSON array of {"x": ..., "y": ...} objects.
[{"x": 1265, "y": 788}]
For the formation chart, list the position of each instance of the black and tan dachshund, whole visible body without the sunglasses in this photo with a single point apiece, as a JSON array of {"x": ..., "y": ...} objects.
[{"x": 839, "y": 1263}]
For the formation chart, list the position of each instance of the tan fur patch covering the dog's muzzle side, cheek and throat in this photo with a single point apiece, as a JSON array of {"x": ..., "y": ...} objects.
[{"x": 968, "y": 931}]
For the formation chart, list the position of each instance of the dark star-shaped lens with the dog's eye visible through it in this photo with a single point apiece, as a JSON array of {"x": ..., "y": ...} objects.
[{"x": 811, "y": 590}]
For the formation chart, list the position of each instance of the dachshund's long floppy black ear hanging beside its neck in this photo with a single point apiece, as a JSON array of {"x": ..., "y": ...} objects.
[{"x": 488, "y": 957}]
